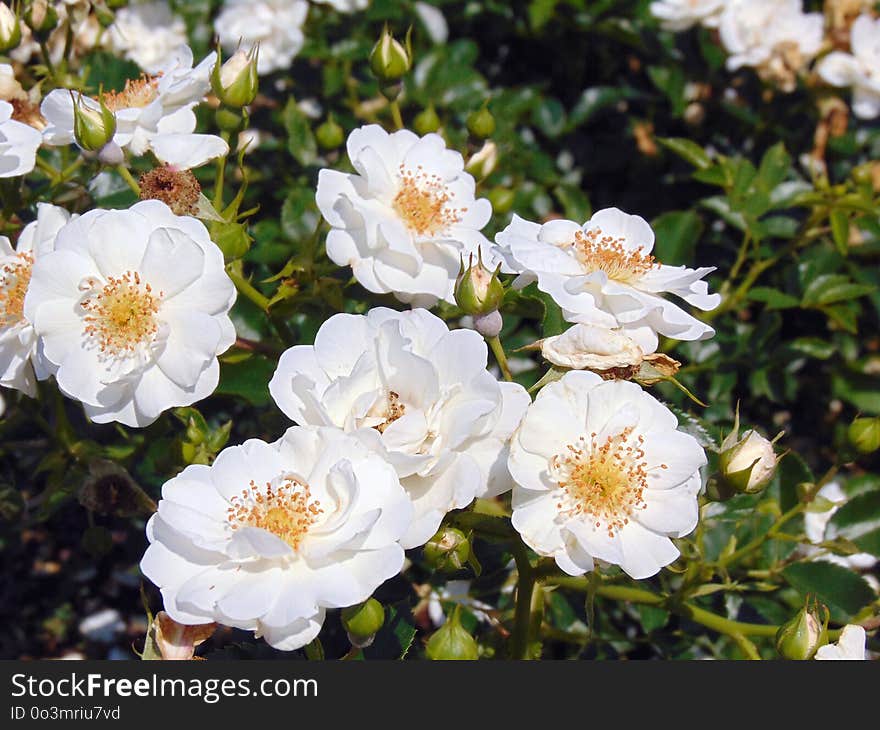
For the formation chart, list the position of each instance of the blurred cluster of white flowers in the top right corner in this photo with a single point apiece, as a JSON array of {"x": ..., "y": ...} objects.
[{"x": 779, "y": 40}]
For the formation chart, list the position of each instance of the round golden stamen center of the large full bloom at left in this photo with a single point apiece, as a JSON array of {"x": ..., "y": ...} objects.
[{"x": 122, "y": 315}]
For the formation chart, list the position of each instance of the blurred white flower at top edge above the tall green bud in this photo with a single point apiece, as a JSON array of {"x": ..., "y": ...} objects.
[{"x": 275, "y": 24}]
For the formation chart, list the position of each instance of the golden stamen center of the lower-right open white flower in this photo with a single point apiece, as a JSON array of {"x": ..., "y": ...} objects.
[{"x": 605, "y": 482}]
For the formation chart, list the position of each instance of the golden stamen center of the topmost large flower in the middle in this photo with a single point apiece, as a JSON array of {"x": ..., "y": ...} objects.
[{"x": 422, "y": 201}]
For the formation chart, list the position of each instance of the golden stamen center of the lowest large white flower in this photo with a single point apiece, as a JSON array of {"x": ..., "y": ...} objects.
[{"x": 287, "y": 510}]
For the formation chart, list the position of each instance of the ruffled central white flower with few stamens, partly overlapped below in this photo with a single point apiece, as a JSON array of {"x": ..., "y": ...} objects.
[{"x": 422, "y": 396}]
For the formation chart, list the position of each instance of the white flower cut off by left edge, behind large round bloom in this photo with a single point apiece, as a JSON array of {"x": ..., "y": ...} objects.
[{"x": 20, "y": 366}]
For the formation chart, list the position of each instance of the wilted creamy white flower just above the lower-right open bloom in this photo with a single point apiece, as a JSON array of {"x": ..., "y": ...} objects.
[{"x": 589, "y": 347}]
